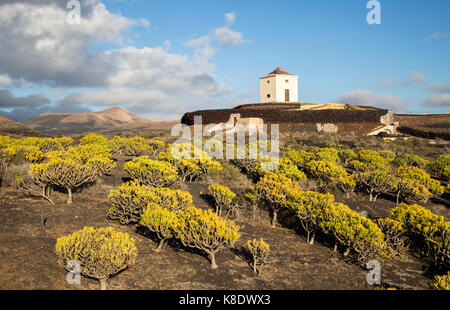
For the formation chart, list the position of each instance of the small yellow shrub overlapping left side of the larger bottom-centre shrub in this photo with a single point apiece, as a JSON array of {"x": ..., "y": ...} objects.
[{"x": 162, "y": 221}]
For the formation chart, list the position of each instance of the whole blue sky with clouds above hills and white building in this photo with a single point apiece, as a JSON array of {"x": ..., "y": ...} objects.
[{"x": 160, "y": 59}]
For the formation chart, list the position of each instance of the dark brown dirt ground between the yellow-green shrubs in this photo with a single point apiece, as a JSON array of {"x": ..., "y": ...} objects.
[{"x": 30, "y": 226}]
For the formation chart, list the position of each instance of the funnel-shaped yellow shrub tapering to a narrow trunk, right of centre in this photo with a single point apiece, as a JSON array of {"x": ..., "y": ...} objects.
[{"x": 309, "y": 207}]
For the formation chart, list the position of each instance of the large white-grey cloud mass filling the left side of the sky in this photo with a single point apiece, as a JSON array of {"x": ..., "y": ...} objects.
[{"x": 38, "y": 47}]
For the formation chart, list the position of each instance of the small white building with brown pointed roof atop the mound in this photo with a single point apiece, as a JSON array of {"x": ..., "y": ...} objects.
[{"x": 279, "y": 86}]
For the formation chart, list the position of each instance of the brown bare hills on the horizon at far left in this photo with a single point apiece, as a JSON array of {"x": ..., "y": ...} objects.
[{"x": 108, "y": 121}]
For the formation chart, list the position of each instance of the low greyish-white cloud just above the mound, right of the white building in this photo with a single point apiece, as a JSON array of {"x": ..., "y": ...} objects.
[{"x": 367, "y": 98}]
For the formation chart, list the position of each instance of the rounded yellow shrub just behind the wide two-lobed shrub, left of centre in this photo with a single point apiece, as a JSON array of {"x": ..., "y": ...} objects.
[{"x": 151, "y": 172}]
